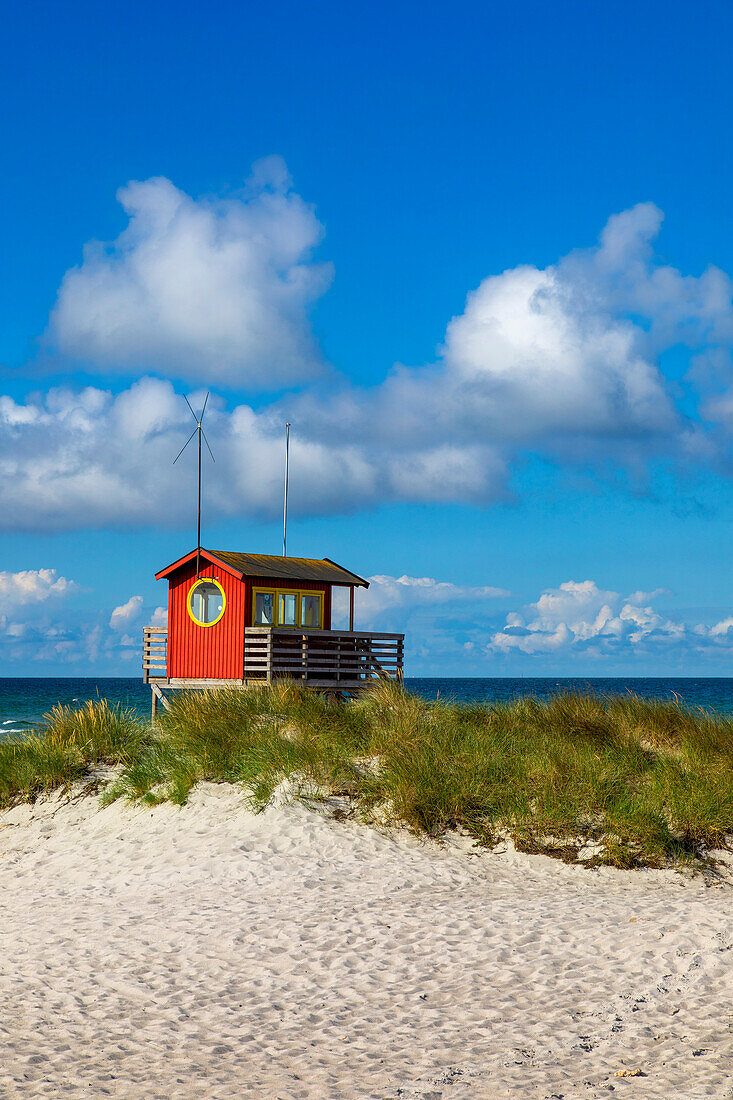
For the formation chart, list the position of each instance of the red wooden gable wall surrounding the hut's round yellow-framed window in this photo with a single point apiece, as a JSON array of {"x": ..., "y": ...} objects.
[{"x": 216, "y": 652}]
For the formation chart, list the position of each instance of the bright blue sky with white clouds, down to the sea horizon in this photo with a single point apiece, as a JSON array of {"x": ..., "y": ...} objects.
[{"x": 385, "y": 225}]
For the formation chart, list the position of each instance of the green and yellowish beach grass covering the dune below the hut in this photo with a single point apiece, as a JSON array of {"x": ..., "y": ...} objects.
[{"x": 625, "y": 782}]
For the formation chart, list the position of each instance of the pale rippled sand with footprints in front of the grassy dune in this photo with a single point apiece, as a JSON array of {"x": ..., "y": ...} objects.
[{"x": 211, "y": 953}]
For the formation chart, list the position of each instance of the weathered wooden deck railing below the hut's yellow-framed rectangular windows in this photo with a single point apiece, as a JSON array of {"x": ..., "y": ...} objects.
[{"x": 323, "y": 658}]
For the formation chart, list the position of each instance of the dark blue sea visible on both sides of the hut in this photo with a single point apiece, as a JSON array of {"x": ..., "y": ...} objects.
[{"x": 25, "y": 701}]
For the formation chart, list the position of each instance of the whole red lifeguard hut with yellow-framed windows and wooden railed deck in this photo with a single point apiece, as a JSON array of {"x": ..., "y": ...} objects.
[{"x": 246, "y": 619}]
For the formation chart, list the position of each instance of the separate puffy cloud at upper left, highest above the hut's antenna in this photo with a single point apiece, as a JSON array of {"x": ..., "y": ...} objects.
[{"x": 215, "y": 290}]
